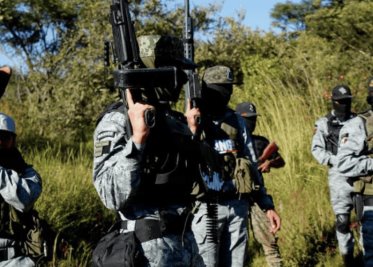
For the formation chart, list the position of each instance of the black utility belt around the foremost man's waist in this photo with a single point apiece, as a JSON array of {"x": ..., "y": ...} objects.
[{"x": 148, "y": 229}]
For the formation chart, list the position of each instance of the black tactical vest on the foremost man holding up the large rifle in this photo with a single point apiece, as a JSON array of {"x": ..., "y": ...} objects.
[{"x": 169, "y": 168}]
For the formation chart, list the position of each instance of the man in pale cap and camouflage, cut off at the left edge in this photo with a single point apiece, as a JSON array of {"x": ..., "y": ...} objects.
[{"x": 20, "y": 187}]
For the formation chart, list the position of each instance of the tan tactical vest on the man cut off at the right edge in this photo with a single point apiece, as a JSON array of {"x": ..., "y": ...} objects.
[{"x": 364, "y": 184}]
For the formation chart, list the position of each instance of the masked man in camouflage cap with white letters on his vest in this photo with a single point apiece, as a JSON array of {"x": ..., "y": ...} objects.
[{"x": 220, "y": 224}]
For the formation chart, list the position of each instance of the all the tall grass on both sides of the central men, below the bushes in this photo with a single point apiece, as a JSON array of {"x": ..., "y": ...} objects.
[{"x": 72, "y": 207}]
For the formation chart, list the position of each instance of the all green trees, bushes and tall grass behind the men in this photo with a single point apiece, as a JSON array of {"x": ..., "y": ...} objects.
[{"x": 55, "y": 103}]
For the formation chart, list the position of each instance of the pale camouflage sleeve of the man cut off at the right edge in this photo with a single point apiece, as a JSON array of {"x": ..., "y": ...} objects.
[{"x": 351, "y": 161}]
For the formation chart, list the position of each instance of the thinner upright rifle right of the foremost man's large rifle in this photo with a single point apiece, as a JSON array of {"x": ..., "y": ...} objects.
[{"x": 192, "y": 87}]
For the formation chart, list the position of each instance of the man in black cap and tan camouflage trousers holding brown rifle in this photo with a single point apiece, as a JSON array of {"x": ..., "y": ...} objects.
[{"x": 261, "y": 226}]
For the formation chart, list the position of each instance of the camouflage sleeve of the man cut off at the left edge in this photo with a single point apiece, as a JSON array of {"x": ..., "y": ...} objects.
[{"x": 20, "y": 190}]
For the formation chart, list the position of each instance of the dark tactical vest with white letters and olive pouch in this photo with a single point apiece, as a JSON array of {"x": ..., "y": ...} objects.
[{"x": 230, "y": 161}]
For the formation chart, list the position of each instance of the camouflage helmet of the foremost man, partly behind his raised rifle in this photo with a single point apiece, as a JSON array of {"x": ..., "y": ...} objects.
[{"x": 163, "y": 50}]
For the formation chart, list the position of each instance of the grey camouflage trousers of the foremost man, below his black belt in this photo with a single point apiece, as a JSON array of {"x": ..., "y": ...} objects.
[{"x": 172, "y": 250}]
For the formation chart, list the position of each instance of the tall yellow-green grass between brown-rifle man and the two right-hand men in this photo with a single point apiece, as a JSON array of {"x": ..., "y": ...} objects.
[{"x": 300, "y": 189}]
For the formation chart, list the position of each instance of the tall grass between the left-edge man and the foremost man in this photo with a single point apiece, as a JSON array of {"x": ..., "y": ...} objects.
[{"x": 69, "y": 202}]
